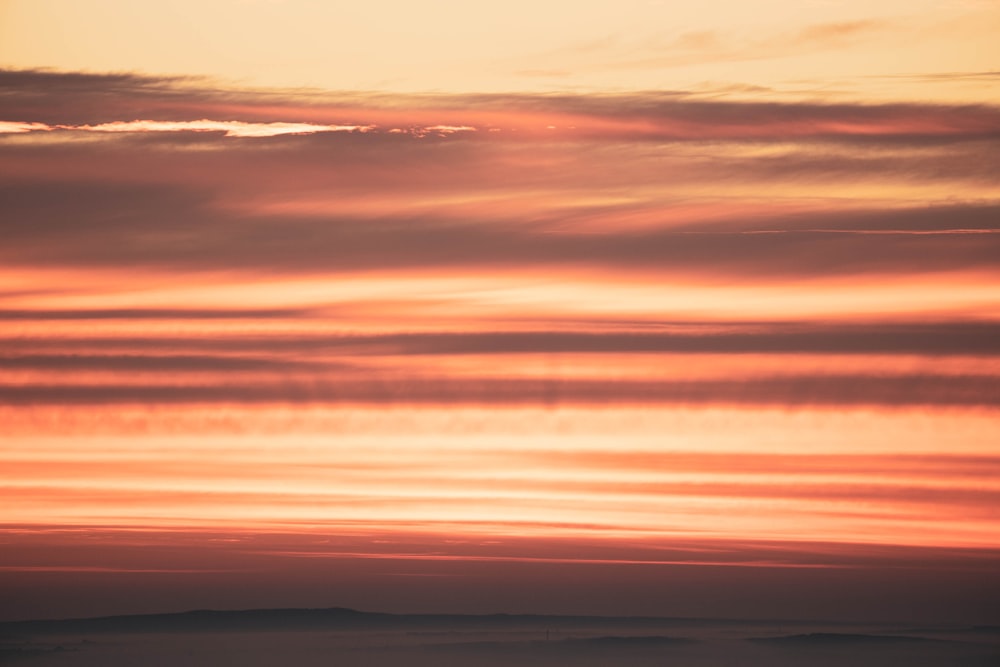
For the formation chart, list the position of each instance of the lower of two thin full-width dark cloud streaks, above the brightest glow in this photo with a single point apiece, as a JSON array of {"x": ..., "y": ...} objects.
[{"x": 804, "y": 390}]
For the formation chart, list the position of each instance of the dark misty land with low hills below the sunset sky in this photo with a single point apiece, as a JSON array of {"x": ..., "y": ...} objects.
[{"x": 344, "y": 636}]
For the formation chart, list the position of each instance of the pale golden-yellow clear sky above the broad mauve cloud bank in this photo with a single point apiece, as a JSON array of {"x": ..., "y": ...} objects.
[{"x": 811, "y": 48}]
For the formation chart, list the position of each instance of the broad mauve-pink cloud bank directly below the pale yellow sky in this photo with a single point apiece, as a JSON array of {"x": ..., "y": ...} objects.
[{"x": 313, "y": 182}]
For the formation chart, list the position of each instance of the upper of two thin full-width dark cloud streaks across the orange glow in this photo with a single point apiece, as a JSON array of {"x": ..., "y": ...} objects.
[{"x": 921, "y": 338}]
